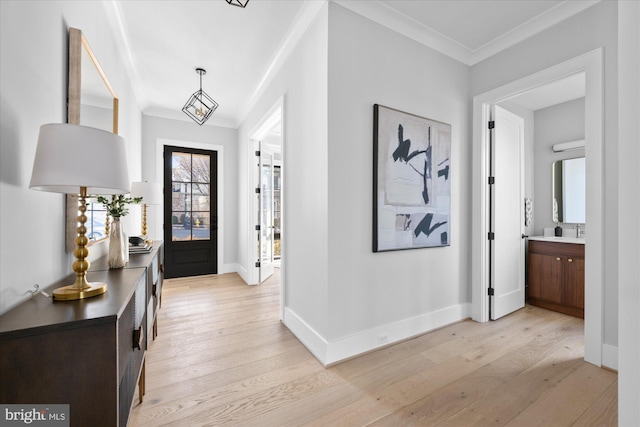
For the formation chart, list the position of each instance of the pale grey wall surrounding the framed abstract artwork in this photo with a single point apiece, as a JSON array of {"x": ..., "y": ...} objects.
[{"x": 377, "y": 298}]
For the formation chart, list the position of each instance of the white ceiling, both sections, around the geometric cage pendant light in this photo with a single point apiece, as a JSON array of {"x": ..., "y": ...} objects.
[{"x": 240, "y": 48}]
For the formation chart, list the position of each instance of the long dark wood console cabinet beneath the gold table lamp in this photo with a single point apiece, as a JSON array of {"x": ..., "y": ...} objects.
[{"x": 88, "y": 353}]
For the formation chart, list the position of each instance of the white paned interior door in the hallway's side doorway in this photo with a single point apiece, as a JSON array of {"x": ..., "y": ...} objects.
[{"x": 265, "y": 213}]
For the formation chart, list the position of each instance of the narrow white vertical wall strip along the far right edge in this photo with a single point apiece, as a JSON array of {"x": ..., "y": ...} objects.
[{"x": 629, "y": 212}]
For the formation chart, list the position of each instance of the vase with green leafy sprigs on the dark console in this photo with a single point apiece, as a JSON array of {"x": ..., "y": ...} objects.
[{"x": 116, "y": 206}]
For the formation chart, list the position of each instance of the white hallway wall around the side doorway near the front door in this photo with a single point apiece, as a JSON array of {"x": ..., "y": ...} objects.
[{"x": 302, "y": 80}]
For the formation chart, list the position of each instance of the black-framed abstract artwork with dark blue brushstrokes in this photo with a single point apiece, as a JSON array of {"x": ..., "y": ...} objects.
[{"x": 411, "y": 181}]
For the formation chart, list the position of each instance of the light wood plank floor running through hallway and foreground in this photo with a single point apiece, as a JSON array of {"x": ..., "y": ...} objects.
[{"x": 222, "y": 357}]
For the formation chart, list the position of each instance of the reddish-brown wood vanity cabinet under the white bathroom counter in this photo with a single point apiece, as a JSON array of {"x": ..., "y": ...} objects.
[{"x": 556, "y": 276}]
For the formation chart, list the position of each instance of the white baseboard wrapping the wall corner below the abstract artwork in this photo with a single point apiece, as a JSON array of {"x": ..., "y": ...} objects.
[{"x": 330, "y": 352}]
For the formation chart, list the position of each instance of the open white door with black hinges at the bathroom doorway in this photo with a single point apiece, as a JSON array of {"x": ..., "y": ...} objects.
[{"x": 507, "y": 255}]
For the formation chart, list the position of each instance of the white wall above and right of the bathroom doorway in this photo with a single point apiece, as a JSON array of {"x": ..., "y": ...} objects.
[{"x": 593, "y": 28}]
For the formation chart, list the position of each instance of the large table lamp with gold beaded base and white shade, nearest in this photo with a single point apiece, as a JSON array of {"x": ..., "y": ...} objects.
[{"x": 60, "y": 166}]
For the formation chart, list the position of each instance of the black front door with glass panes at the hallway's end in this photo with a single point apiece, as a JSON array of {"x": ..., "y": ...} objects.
[{"x": 190, "y": 215}]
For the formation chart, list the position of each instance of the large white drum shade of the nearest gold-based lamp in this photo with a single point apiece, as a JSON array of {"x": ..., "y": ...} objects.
[{"x": 71, "y": 156}]
